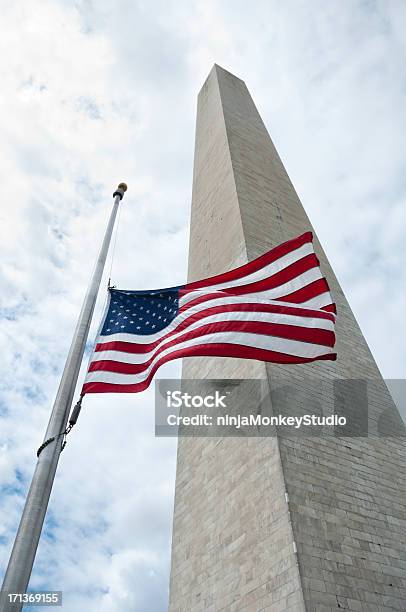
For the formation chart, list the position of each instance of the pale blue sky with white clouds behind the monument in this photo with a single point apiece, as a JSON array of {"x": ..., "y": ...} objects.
[{"x": 94, "y": 93}]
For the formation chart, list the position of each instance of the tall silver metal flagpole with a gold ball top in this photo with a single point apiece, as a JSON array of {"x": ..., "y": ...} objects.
[{"x": 25, "y": 546}]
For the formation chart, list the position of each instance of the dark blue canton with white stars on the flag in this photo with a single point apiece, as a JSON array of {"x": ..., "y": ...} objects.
[{"x": 140, "y": 312}]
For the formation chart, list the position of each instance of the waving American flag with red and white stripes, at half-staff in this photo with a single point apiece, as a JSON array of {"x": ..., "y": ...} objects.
[{"x": 277, "y": 308}]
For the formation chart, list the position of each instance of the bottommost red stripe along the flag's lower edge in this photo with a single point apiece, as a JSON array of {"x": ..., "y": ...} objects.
[{"x": 211, "y": 350}]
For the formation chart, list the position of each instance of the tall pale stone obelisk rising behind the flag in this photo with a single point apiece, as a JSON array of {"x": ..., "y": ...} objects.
[{"x": 289, "y": 522}]
